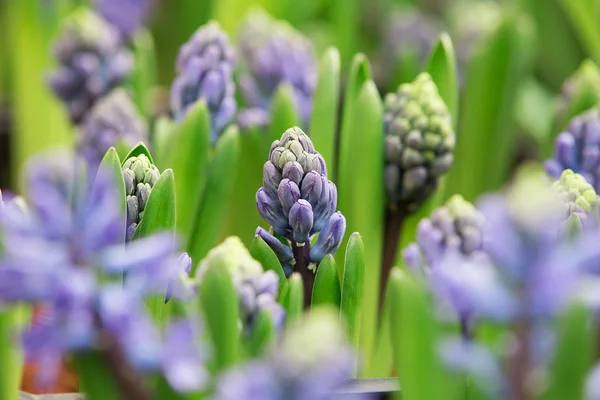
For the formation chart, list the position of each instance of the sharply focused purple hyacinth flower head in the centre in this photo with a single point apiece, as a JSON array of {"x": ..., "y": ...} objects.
[{"x": 298, "y": 200}]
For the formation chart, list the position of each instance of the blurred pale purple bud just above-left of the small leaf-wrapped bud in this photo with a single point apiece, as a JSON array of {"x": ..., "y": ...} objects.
[{"x": 112, "y": 120}]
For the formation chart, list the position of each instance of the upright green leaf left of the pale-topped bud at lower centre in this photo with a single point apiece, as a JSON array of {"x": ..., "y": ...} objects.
[{"x": 216, "y": 288}]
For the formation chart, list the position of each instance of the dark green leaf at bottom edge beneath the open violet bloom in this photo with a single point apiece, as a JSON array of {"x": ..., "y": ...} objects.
[{"x": 95, "y": 377}]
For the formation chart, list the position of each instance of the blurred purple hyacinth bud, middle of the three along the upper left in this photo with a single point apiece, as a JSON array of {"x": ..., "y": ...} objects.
[{"x": 205, "y": 66}]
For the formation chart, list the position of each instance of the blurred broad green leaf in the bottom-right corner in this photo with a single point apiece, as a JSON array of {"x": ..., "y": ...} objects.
[{"x": 574, "y": 355}]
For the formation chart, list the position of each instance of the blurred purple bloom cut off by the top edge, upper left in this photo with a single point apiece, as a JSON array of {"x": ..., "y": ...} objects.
[{"x": 128, "y": 16}]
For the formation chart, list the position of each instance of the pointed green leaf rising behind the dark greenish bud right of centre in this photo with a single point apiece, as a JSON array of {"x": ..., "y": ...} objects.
[{"x": 442, "y": 68}]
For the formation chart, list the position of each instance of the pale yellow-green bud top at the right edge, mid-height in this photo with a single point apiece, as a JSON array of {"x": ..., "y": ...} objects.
[{"x": 579, "y": 197}]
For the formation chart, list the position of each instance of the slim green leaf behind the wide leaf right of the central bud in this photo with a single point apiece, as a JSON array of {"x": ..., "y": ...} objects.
[{"x": 360, "y": 72}]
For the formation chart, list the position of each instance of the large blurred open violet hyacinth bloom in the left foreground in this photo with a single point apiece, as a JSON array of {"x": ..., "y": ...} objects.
[{"x": 55, "y": 253}]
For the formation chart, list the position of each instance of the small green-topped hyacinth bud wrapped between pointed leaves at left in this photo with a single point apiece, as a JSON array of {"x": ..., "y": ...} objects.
[{"x": 139, "y": 175}]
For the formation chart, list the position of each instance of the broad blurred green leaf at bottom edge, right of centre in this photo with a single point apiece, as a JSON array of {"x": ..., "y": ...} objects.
[{"x": 415, "y": 337}]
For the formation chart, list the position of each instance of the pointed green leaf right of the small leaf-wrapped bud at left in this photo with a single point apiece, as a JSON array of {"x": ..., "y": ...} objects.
[{"x": 159, "y": 214}]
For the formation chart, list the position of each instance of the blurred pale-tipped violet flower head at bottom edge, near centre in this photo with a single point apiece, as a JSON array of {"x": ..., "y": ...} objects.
[{"x": 310, "y": 363}]
